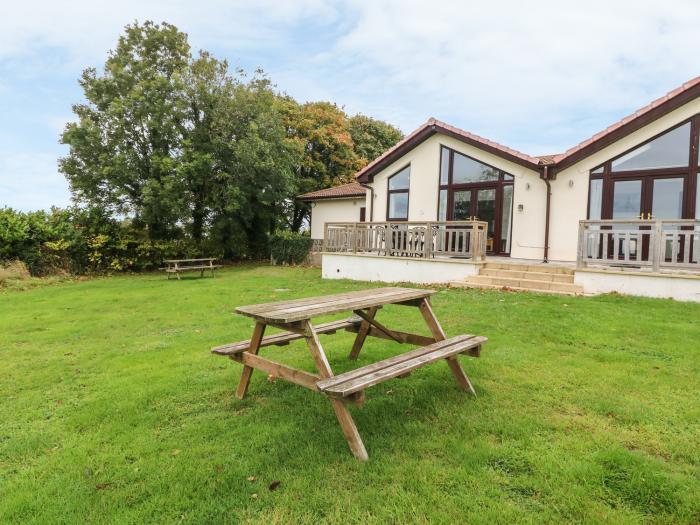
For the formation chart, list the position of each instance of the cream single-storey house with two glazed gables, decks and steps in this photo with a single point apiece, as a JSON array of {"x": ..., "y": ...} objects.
[{"x": 618, "y": 212}]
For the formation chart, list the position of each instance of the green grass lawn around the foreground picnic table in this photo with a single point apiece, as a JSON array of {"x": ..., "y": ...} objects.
[{"x": 114, "y": 411}]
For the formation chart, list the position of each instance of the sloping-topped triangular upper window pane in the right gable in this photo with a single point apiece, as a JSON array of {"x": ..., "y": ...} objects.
[{"x": 670, "y": 150}]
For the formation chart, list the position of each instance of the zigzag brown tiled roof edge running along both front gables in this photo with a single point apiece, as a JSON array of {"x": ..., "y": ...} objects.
[{"x": 640, "y": 118}]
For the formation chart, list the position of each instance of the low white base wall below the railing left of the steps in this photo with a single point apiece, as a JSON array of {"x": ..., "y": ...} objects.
[{"x": 395, "y": 269}]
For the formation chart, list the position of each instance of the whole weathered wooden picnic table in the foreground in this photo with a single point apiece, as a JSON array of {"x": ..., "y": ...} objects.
[{"x": 295, "y": 318}]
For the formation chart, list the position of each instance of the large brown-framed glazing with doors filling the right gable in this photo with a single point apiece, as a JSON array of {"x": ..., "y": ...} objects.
[{"x": 657, "y": 179}]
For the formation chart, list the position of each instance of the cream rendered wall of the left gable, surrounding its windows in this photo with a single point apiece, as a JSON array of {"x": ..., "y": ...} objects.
[{"x": 529, "y": 191}]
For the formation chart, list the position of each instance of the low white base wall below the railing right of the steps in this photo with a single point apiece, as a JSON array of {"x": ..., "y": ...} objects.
[{"x": 681, "y": 288}]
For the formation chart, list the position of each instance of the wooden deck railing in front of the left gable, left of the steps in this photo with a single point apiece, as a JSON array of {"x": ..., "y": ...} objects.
[{"x": 408, "y": 239}]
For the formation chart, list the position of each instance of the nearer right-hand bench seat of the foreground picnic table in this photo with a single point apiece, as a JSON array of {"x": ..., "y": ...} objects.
[{"x": 357, "y": 380}]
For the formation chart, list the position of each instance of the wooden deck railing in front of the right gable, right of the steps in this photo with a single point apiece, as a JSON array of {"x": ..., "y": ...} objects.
[{"x": 653, "y": 245}]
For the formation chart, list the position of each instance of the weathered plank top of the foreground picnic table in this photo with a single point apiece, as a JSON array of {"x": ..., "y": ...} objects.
[{"x": 304, "y": 309}]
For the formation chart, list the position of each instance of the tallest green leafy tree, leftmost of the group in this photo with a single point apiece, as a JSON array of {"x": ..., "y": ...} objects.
[{"x": 124, "y": 147}]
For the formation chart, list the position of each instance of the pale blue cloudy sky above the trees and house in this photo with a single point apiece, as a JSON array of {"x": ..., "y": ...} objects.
[{"x": 536, "y": 76}]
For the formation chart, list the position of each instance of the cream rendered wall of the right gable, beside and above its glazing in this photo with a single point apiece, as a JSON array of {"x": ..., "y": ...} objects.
[{"x": 570, "y": 189}]
